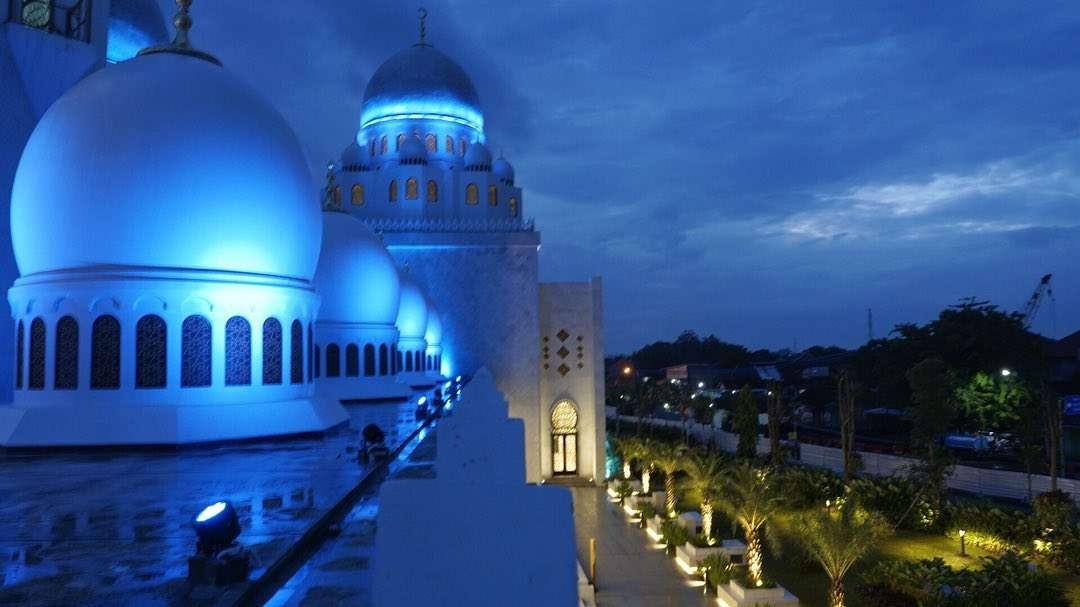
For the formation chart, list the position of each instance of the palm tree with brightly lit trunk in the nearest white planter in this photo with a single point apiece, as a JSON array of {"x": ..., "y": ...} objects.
[{"x": 751, "y": 500}]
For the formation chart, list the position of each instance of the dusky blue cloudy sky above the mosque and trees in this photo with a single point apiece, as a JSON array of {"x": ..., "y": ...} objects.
[{"x": 766, "y": 172}]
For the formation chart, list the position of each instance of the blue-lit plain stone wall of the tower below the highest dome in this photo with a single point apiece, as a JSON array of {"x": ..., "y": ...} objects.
[{"x": 487, "y": 290}]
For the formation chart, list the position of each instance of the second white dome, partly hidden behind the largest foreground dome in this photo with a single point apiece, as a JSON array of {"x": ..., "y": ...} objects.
[{"x": 357, "y": 278}]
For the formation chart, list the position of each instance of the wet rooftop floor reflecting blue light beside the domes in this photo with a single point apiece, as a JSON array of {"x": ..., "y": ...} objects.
[{"x": 112, "y": 529}]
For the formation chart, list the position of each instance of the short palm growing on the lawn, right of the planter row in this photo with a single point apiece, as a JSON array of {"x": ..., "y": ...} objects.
[{"x": 840, "y": 539}]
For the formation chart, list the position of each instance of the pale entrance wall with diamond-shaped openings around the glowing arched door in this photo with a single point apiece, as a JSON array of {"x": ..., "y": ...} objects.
[{"x": 572, "y": 367}]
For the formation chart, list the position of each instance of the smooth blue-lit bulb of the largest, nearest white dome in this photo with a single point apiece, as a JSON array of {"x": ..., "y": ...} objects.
[{"x": 165, "y": 161}]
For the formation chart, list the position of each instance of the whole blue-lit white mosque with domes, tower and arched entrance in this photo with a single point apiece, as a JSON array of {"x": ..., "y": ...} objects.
[{"x": 178, "y": 276}]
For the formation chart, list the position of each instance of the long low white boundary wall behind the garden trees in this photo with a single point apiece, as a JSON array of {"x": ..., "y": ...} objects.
[{"x": 984, "y": 481}]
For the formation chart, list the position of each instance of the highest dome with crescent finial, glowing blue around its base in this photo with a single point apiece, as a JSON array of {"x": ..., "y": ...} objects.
[{"x": 422, "y": 83}]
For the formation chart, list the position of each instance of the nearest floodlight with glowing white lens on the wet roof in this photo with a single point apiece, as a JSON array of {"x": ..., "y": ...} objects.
[{"x": 220, "y": 560}]
